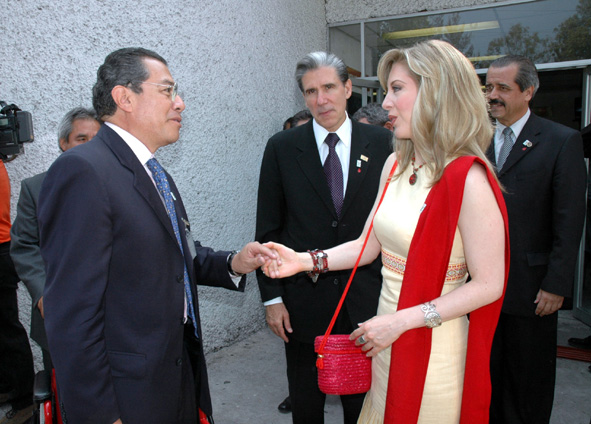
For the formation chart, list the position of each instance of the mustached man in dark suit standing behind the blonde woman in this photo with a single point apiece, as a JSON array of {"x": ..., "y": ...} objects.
[{"x": 540, "y": 164}]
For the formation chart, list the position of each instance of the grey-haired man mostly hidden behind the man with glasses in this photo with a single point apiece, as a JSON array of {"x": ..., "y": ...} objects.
[{"x": 77, "y": 127}]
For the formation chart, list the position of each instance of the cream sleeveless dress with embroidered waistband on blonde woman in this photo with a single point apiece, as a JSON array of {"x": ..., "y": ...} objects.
[{"x": 394, "y": 226}]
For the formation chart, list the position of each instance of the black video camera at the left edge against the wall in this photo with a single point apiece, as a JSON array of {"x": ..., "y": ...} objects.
[{"x": 16, "y": 128}]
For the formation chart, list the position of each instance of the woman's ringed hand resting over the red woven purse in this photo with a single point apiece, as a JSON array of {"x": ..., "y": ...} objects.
[{"x": 378, "y": 333}]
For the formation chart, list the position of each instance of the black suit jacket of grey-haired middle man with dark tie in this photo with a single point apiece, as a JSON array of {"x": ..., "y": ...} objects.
[{"x": 295, "y": 208}]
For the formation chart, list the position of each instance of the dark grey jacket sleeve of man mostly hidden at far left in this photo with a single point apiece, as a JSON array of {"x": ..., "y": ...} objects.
[{"x": 26, "y": 253}]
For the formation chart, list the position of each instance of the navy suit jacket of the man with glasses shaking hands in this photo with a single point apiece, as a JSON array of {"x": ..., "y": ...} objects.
[{"x": 114, "y": 294}]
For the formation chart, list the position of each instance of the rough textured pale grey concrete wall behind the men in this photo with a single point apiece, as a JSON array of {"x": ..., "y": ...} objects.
[{"x": 234, "y": 62}]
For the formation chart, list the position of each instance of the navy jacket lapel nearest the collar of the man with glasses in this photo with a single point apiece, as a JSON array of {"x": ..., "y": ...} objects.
[{"x": 141, "y": 181}]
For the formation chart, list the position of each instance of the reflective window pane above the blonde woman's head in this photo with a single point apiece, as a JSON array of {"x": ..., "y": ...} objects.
[{"x": 545, "y": 31}]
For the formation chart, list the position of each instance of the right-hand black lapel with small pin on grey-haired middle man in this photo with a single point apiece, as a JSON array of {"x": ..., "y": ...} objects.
[{"x": 358, "y": 165}]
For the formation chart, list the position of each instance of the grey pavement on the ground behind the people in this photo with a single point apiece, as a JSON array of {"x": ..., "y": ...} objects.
[{"x": 248, "y": 381}]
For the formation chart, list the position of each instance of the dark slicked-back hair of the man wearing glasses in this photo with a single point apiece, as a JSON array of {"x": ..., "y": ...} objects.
[{"x": 122, "y": 67}]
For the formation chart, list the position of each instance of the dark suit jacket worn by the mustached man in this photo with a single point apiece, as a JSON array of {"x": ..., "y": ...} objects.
[{"x": 544, "y": 178}]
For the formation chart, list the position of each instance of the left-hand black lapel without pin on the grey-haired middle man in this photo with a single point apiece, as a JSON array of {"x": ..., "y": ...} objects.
[{"x": 311, "y": 165}]
